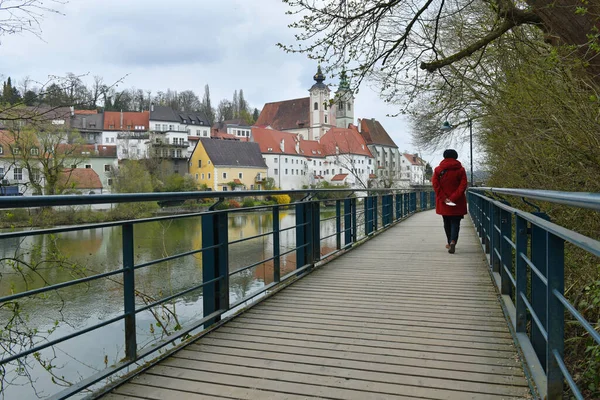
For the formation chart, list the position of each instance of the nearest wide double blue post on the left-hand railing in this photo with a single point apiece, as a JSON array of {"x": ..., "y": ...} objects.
[{"x": 215, "y": 264}]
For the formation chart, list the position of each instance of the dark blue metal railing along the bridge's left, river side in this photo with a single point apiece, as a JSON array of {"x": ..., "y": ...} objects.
[{"x": 394, "y": 206}]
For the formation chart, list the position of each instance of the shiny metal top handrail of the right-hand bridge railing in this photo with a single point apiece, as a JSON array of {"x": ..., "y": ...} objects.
[{"x": 576, "y": 199}]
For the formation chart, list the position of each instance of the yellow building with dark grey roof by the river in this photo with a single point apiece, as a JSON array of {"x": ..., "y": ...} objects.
[{"x": 223, "y": 164}]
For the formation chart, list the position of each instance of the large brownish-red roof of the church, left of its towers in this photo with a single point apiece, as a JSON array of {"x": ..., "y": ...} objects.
[{"x": 285, "y": 115}]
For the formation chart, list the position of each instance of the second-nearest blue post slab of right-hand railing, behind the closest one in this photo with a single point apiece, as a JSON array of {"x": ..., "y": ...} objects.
[{"x": 538, "y": 291}]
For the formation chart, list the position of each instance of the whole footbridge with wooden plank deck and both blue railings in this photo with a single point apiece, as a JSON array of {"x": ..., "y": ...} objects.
[{"x": 386, "y": 313}]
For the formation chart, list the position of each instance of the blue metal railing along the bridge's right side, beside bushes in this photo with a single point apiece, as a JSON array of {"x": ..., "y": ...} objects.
[{"x": 526, "y": 255}]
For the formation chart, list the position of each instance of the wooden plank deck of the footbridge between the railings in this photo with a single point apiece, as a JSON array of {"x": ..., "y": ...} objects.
[{"x": 396, "y": 318}]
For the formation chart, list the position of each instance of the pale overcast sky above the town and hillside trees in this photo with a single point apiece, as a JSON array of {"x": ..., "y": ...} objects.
[{"x": 183, "y": 44}]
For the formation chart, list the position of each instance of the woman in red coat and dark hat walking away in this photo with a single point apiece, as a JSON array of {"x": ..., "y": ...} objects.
[{"x": 450, "y": 182}]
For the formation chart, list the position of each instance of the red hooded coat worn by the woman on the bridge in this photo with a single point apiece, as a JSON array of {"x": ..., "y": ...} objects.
[{"x": 450, "y": 185}]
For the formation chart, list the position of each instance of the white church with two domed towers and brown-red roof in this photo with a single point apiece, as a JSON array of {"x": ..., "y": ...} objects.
[{"x": 311, "y": 117}]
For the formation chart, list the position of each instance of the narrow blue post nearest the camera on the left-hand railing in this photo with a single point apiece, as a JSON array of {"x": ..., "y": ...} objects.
[{"x": 129, "y": 292}]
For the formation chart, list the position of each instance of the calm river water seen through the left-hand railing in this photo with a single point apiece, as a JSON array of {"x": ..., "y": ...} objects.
[{"x": 63, "y": 257}]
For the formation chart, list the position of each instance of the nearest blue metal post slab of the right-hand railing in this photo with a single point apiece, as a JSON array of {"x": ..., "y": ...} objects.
[{"x": 555, "y": 316}]
